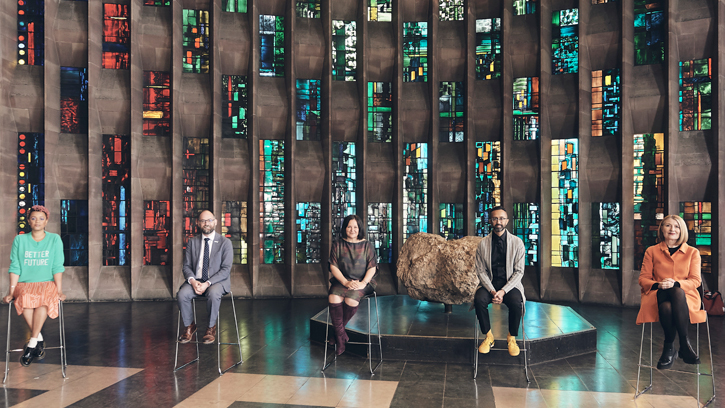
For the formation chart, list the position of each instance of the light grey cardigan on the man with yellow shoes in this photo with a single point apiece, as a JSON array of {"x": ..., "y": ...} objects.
[{"x": 515, "y": 252}]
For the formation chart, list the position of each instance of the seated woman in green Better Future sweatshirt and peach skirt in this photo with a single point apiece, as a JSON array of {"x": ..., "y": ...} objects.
[{"x": 36, "y": 275}]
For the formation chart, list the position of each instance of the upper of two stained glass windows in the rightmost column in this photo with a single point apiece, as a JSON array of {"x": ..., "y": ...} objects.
[{"x": 696, "y": 94}]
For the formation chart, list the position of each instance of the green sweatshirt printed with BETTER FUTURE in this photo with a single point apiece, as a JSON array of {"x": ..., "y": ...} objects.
[{"x": 36, "y": 261}]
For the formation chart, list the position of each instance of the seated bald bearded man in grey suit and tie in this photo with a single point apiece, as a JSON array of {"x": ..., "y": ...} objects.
[{"x": 207, "y": 263}]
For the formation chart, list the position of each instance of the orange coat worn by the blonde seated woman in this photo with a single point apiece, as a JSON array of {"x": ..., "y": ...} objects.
[{"x": 683, "y": 266}]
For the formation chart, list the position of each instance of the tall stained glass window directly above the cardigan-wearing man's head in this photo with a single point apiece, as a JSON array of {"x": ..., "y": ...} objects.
[{"x": 488, "y": 183}]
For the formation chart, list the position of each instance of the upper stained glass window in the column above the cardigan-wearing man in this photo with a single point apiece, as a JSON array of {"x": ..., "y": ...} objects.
[{"x": 488, "y": 48}]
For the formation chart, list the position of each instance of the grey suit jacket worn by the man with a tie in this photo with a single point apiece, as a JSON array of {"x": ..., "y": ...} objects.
[{"x": 220, "y": 260}]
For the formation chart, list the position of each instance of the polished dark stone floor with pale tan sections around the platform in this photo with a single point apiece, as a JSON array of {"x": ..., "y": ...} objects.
[{"x": 121, "y": 355}]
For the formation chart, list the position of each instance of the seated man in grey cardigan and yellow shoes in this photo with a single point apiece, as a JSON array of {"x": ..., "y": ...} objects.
[{"x": 500, "y": 266}]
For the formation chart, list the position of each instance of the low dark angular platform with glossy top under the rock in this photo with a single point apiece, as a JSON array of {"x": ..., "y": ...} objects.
[{"x": 415, "y": 330}]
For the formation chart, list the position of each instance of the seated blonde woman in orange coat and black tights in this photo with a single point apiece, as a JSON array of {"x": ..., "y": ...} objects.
[{"x": 669, "y": 279}]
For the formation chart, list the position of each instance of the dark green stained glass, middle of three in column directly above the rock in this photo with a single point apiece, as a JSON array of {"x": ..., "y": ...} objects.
[{"x": 452, "y": 111}]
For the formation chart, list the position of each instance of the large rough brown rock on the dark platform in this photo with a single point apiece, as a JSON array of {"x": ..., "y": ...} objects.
[{"x": 434, "y": 269}]
